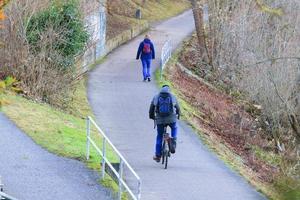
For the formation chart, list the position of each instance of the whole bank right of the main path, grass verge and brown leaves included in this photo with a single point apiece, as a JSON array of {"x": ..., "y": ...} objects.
[{"x": 228, "y": 122}]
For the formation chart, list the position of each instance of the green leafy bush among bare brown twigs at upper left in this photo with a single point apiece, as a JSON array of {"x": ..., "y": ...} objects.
[{"x": 70, "y": 35}]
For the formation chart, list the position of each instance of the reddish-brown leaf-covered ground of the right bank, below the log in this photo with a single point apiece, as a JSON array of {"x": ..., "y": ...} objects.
[{"x": 218, "y": 115}]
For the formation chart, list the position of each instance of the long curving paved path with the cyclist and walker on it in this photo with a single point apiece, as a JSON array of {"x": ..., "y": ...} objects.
[{"x": 120, "y": 101}]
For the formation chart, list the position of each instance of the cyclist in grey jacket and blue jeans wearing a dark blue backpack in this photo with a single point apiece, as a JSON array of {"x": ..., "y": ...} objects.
[{"x": 165, "y": 110}]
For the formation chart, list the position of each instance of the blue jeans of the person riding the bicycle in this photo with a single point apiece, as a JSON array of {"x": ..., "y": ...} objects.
[{"x": 159, "y": 137}]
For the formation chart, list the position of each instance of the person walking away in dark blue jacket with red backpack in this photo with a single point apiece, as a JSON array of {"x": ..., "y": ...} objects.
[{"x": 146, "y": 53}]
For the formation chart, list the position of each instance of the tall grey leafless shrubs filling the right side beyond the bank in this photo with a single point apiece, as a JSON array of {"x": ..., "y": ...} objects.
[{"x": 255, "y": 47}]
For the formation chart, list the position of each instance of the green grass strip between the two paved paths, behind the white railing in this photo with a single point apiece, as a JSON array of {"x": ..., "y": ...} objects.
[{"x": 59, "y": 131}]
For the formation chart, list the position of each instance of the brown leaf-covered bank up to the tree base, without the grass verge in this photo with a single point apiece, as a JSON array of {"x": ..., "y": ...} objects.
[{"x": 220, "y": 116}]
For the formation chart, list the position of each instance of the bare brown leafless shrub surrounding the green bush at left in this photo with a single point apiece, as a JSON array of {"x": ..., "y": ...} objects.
[{"x": 40, "y": 75}]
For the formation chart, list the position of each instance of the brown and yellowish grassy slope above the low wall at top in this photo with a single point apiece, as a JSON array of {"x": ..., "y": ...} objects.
[{"x": 121, "y": 14}]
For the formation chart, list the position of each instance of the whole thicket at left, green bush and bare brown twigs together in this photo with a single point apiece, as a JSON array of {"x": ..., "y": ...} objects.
[{"x": 42, "y": 42}]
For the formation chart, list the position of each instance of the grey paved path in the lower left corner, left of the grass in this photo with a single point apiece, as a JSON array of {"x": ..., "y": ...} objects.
[{"x": 31, "y": 173}]
